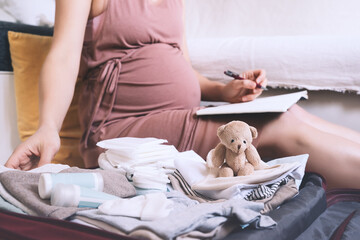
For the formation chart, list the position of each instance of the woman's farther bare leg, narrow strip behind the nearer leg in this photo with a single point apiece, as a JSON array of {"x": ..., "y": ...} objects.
[{"x": 324, "y": 125}]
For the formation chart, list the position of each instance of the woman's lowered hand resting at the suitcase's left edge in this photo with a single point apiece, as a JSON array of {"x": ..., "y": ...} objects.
[{"x": 37, "y": 150}]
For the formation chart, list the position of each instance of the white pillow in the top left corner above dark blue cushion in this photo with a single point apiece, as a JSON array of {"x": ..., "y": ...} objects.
[{"x": 33, "y": 12}]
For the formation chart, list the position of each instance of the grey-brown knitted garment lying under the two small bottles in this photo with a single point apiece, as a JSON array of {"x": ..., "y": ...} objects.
[{"x": 24, "y": 187}]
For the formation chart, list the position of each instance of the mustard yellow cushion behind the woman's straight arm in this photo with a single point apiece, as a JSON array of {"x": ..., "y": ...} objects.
[{"x": 28, "y": 53}]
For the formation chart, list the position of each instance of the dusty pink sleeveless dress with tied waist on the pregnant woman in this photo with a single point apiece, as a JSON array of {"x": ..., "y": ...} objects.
[{"x": 137, "y": 82}]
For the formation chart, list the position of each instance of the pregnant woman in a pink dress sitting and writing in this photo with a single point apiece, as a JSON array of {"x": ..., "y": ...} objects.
[{"x": 138, "y": 82}]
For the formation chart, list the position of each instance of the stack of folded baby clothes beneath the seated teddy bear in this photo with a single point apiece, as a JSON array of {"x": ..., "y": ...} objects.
[{"x": 273, "y": 185}]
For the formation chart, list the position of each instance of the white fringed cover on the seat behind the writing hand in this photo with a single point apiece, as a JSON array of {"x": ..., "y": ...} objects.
[{"x": 314, "y": 63}]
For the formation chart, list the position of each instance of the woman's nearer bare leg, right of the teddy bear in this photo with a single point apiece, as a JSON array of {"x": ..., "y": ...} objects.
[{"x": 336, "y": 158}]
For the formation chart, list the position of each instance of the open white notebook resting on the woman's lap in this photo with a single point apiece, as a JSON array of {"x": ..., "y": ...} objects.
[{"x": 279, "y": 103}]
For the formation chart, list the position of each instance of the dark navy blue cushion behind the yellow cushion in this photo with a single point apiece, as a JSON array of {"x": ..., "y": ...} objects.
[{"x": 5, "y": 60}]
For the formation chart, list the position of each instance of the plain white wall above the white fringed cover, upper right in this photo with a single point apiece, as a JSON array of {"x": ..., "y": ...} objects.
[{"x": 229, "y": 18}]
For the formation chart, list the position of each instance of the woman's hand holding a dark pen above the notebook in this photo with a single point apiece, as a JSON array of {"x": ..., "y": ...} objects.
[{"x": 245, "y": 90}]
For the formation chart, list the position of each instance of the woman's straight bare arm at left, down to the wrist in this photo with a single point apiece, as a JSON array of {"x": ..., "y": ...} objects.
[{"x": 59, "y": 73}]
